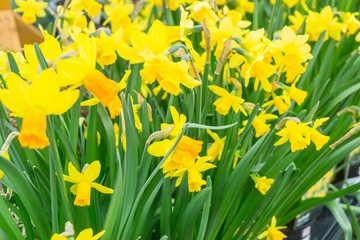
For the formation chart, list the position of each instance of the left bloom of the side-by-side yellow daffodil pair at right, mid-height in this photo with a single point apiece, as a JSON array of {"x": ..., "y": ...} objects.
[{"x": 298, "y": 134}]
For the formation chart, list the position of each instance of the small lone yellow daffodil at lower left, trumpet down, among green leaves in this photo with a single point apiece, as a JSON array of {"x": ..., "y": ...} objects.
[{"x": 84, "y": 182}]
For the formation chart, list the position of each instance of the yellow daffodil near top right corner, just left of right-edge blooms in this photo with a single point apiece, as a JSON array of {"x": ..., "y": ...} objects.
[{"x": 316, "y": 23}]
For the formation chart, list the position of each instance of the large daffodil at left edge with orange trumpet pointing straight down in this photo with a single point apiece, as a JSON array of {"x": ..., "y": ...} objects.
[{"x": 33, "y": 102}]
